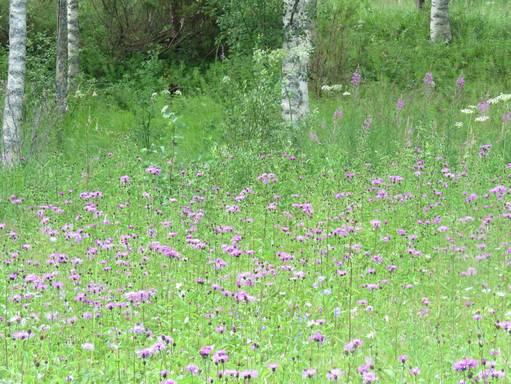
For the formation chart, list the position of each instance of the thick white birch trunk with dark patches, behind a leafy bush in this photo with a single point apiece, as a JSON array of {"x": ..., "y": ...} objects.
[{"x": 298, "y": 23}]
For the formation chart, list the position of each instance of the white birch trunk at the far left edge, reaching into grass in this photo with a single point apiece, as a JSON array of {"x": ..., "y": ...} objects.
[{"x": 13, "y": 110}]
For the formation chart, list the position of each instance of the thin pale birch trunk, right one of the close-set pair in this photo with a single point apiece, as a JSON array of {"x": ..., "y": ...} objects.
[{"x": 73, "y": 44}]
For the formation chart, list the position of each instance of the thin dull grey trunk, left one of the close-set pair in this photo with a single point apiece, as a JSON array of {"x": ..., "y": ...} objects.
[{"x": 61, "y": 67}]
